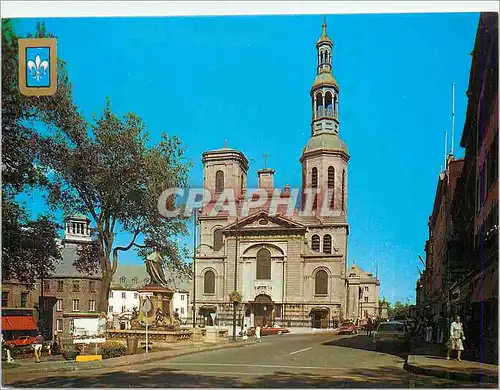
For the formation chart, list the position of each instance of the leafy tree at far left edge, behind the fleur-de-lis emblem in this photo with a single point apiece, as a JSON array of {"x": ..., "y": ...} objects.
[{"x": 28, "y": 247}]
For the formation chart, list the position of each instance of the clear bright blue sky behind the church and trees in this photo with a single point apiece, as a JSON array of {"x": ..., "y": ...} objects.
[{"x": 245, "y": 79}]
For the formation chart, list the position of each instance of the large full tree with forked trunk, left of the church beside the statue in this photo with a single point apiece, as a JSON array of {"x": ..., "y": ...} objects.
[{"x": 110, "y": 171}]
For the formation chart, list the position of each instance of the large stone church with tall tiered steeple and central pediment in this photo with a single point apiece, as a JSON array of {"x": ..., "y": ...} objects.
[{"x": 289, "y": 269}]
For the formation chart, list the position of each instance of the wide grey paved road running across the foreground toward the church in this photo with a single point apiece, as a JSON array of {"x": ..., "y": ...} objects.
[{"x": 313, "y": 360}]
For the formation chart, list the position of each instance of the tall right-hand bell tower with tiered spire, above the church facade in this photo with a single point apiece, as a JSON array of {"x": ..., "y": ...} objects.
[{"x": 325, "y": 156}]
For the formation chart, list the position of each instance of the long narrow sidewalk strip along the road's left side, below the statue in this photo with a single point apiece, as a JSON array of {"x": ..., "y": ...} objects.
[{"x": 70, "y": 365}]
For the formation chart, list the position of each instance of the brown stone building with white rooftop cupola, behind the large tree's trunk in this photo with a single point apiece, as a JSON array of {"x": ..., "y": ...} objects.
[{"x": 74, "y": 294}]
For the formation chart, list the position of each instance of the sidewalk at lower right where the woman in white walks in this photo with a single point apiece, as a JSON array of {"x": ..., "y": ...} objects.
[{"x": 430, "y": 359}]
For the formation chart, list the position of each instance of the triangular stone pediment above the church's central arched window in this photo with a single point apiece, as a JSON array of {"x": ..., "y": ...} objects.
[{"x": 262, "y": 221}]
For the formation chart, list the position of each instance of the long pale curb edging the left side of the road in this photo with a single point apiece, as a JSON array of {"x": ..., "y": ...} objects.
[{"x": 73, "y": 366}]
